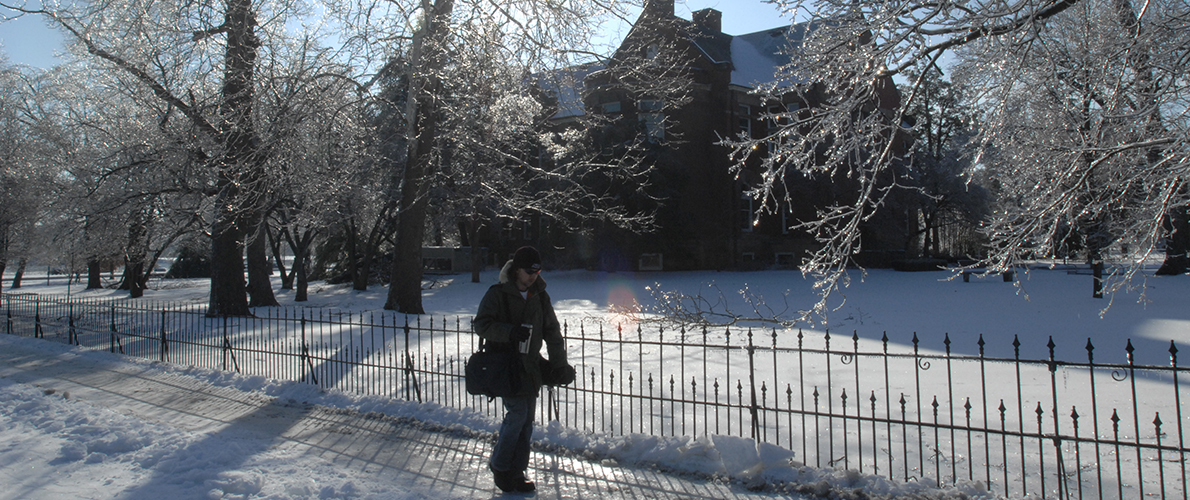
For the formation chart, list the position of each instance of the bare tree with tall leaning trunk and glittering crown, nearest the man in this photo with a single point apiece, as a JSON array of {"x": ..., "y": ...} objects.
[{"x": 428, "y": 35}]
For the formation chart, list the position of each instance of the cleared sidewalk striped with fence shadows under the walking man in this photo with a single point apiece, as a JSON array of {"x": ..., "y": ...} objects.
[{"x": 450, "y": 464}]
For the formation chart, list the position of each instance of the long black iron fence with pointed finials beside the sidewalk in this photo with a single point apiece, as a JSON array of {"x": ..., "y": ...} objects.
[{"x": 1017, "y": 424}]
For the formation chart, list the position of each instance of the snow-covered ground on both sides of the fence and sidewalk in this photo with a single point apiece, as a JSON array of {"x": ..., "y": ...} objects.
[{"x": 57, "y": 447}]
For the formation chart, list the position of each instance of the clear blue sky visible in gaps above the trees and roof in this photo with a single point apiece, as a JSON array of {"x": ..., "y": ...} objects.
[{"x": 28, "y": 41}]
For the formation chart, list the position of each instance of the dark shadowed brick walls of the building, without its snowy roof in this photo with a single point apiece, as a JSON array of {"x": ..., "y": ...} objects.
[{"x": 703, "y": 224}]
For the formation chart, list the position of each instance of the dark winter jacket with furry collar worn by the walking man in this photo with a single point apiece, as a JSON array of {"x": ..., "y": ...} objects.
[{"x": 504, "y": 309}]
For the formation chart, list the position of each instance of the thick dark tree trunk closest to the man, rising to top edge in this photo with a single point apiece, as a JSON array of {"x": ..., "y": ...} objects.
[{"x": 427, "y": 58}]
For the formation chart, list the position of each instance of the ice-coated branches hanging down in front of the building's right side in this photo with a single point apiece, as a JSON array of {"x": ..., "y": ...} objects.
[{"x": 1012, "y": 52}]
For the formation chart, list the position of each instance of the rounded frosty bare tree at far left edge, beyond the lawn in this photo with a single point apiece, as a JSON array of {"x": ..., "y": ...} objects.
[{"x": 117, "y": 174}]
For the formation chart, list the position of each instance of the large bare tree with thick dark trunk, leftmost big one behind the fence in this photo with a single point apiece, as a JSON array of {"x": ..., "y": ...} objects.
[{"x": 202, "y": 66}]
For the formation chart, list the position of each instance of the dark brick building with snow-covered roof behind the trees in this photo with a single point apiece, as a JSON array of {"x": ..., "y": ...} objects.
[{"x": 707, "y": 222}]
